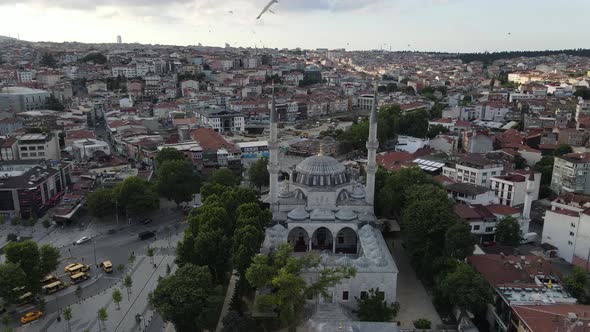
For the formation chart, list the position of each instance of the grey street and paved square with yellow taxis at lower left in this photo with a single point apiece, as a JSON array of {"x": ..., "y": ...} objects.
[{"x": 168, "y": 224}]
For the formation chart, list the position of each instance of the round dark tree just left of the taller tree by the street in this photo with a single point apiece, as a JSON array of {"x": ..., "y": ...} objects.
[{"x": 136, "y": 195}]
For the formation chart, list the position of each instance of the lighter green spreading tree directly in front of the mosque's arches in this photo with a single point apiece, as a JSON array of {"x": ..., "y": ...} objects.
[{"x": 280, "y": 272}]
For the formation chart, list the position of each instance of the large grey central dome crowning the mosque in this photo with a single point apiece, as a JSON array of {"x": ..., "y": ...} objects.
[{"x": 320, "y": 171}]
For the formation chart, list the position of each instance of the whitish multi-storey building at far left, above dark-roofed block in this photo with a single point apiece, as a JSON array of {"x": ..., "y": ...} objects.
[{"x": 39, "y": 146}]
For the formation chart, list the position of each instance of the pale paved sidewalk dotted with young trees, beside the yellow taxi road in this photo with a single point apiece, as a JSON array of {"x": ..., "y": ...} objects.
[{"x": 145, "y": 279}]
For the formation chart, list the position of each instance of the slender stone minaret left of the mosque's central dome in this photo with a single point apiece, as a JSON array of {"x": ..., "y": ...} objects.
[{"x": 273, "y": 149}]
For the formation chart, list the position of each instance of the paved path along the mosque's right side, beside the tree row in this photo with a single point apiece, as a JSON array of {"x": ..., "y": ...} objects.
[{"x": 412, "y": 297}]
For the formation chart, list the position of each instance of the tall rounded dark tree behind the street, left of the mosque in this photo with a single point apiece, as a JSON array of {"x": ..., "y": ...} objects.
[{"x": 177, "y": 181}]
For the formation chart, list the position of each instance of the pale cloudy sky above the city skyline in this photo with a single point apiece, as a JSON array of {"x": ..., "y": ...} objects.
[{"x": 420, "y": 25}]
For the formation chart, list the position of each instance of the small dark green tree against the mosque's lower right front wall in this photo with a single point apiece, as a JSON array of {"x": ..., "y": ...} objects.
[{"x": 374, "y": 308}]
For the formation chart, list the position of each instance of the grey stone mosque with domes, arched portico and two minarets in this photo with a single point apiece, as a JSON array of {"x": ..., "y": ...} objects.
[{"x": 320, "y": 208}]
